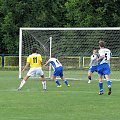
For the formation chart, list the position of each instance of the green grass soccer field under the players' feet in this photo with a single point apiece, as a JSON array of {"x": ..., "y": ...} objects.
[{"x": 78, "y": 102}]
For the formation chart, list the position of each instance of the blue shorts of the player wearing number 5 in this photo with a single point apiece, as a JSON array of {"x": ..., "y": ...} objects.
[{"x": 104, "y": 69}]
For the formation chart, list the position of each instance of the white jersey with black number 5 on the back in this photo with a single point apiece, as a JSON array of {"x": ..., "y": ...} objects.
[{"x": 107, "y": 53}]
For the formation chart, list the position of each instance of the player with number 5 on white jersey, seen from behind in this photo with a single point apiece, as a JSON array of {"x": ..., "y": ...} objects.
[{"x": 103, "y": 66}]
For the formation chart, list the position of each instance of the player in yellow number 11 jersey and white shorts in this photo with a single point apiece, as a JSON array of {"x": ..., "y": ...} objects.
[{"x": 35, "y": 62}]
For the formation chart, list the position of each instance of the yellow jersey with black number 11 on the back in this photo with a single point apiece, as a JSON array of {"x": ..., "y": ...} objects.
[{"x": 34, "y": 60}]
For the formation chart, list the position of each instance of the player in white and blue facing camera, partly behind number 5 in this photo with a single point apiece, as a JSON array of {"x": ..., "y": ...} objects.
[{"x": 93, "y": 64}]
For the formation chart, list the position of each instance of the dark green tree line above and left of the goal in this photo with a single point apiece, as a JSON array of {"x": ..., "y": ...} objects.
[{"x": 53, "y": 13}]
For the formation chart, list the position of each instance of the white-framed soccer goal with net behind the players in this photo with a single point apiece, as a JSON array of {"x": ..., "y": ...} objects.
[{"x": 72, "y": 46}]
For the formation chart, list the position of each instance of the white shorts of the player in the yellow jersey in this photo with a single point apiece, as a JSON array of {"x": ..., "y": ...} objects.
[{"x": 35, "y": 71}]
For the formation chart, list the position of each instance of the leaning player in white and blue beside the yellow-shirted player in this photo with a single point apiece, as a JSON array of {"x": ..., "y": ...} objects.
[{"x": 58, "y": 70}]
